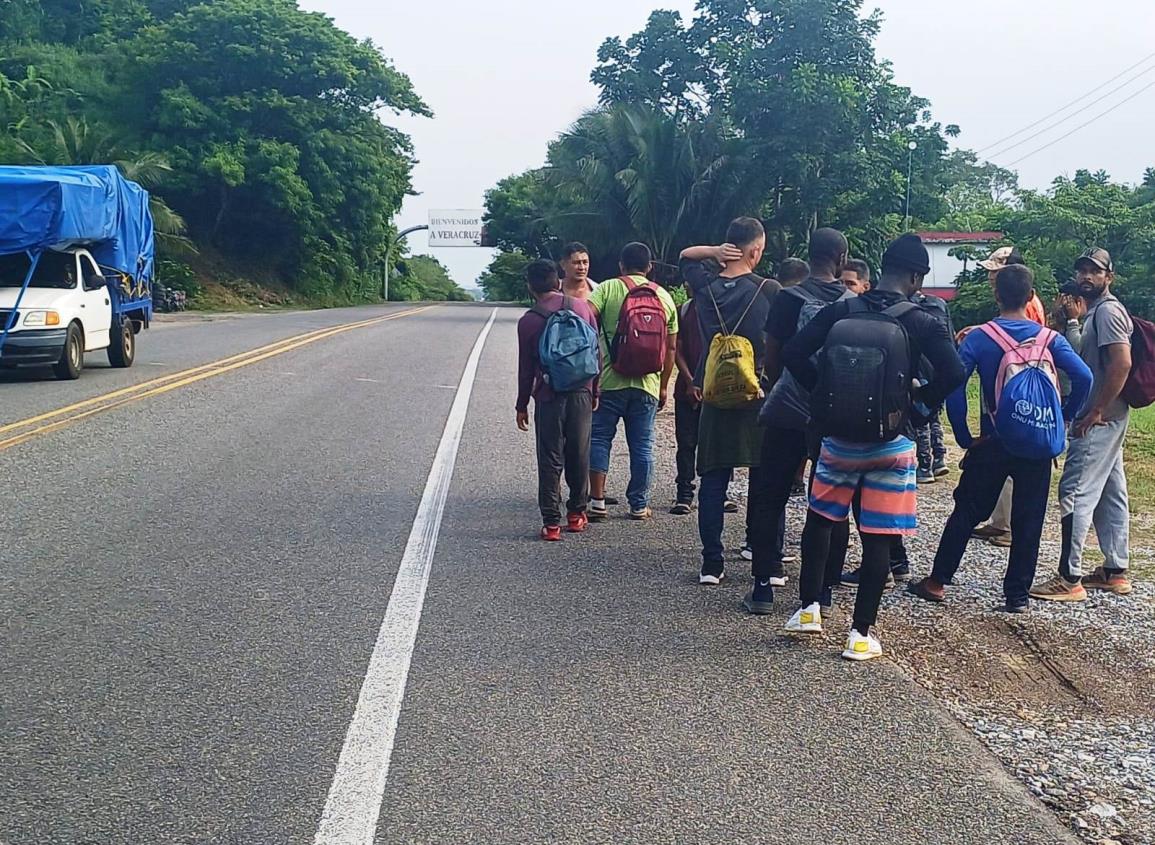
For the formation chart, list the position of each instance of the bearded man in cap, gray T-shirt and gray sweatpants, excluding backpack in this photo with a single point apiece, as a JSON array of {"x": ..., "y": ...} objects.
[{"x": 1094, "y": 487}]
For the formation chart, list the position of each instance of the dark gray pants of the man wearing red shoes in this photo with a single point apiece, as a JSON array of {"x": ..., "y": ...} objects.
[{"x": 563, "y": 428}]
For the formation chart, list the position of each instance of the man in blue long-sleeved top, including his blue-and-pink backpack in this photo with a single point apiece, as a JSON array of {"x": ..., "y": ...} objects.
[{"x": 1023, "y": 433}]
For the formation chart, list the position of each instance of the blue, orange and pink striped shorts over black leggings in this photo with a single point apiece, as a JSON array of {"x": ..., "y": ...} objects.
[{"x": 885, "y": 475}]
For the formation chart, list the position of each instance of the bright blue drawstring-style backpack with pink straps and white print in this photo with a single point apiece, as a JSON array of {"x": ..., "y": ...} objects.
[{"x": 1029, "y": 410}]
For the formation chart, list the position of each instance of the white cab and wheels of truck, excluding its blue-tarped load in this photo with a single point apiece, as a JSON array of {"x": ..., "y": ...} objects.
[{"x": 66, "y": 311}]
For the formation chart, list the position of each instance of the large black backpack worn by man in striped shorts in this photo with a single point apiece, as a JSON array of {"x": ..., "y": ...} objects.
[{"x": 865, "y": 376}]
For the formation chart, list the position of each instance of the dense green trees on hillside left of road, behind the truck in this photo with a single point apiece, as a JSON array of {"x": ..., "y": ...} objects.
[{"x": 262, "y": 131}]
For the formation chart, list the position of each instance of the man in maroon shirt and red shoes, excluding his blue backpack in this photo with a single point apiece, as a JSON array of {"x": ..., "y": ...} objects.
[{"x": 562, "y": 421}]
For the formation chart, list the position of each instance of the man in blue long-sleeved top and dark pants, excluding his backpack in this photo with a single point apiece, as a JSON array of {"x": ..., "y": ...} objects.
[{"x": 988, "y": 465}]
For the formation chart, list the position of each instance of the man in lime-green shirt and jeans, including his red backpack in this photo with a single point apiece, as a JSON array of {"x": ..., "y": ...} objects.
[{"x": 639, "y": 330}]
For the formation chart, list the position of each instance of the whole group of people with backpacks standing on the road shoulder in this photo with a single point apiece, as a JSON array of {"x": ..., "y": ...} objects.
[{"x": 830, "y": 365}]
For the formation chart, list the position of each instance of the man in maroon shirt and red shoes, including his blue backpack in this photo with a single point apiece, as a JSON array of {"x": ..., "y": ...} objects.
[{"x": 558, "y": 364}]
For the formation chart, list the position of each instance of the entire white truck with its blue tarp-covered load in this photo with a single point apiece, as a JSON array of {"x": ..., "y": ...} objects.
[{"x": 77, "y": 265}]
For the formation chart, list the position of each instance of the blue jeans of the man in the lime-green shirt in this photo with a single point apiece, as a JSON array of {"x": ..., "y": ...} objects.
[{"x": 638, "y": 409}]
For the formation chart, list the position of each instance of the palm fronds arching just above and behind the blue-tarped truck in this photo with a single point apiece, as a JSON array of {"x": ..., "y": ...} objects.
[{"x": 76, "y": 141}]
